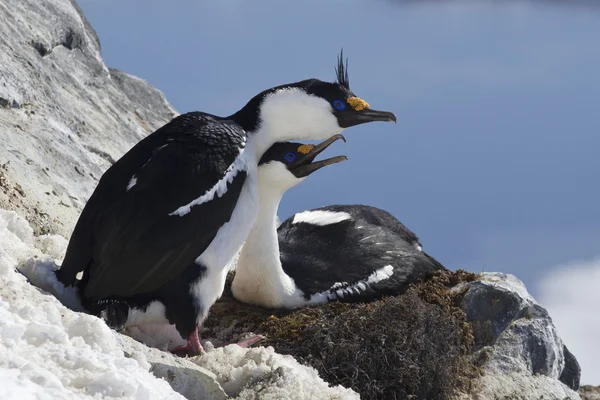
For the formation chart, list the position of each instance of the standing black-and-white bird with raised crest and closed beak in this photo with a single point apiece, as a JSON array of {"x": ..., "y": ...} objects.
[{"x": 155, "y": 237}]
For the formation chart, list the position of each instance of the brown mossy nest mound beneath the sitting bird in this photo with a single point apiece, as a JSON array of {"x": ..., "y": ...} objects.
[{"x": 415, "y": 346}]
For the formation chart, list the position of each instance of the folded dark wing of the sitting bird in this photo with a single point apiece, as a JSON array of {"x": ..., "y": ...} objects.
[{"x": 342, "y": 255}]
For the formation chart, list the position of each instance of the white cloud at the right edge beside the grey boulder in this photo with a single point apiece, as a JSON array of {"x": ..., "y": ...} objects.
[{"x": 571, "y": 294}]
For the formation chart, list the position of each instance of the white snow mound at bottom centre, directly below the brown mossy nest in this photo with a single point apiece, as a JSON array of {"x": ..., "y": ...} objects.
[{"x": 244, "y": 373}]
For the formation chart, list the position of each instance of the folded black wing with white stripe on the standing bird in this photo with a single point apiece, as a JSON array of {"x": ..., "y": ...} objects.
[{"x": 150, "y": 230}]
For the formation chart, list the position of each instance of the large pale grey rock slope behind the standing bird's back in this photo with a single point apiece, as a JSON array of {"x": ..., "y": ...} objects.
[{"x": 64, "y": 116}]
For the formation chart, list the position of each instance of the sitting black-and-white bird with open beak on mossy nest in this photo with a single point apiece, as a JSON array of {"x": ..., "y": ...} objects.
[{"x": 350, "y": 253}]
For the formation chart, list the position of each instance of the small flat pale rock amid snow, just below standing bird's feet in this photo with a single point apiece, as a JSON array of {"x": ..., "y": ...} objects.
[{"x": 185, "y": 377}]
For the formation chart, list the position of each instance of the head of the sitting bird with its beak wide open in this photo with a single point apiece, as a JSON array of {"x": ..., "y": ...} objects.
[{"x": 291, "y": 162}]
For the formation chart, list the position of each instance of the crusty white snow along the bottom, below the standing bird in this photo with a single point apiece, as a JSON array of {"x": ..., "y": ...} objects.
[{"x": 48, "y": 351}]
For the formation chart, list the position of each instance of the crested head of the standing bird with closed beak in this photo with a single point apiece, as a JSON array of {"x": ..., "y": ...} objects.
[{"x": 310, "y": 109}]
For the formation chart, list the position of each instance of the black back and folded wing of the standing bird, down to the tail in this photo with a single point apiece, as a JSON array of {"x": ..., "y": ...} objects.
[{"x": 129, "y": 240}]
